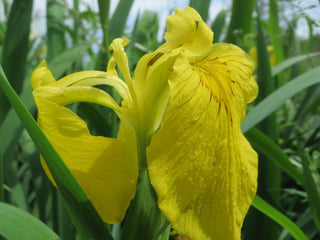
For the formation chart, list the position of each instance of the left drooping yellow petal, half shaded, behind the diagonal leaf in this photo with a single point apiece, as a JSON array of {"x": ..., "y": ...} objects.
[{"x": 103, "y": 166}]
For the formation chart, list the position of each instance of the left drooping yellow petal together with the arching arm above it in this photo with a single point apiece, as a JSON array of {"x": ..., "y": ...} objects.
[{"x": 104, "y": 167}]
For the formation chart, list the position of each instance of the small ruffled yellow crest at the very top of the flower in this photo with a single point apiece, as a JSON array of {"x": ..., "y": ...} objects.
[{"x": 187, "y": 28}]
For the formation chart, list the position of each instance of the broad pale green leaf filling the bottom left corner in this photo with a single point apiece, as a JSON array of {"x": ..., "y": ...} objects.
[{"x": 18, "y": 224}]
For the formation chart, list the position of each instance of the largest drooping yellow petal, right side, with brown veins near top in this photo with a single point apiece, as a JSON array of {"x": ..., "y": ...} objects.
[{"x": 202, "y": 168}]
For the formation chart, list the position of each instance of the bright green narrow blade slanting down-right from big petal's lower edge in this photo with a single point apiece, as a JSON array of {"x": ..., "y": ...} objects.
[{"x": 278, "y": 217}]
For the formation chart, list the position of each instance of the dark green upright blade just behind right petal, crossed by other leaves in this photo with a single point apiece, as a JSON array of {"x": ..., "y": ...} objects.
[{"x": 269, "y": 173}]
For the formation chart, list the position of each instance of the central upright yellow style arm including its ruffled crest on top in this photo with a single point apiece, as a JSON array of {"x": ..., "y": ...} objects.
[{"x": 186, "y": 32}]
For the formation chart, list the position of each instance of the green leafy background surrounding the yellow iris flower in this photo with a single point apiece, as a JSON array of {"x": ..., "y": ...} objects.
[{"x": 282, "y": 124}]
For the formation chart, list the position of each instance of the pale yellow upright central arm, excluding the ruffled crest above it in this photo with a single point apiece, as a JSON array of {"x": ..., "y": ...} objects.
[{"x": 152, "y": 87}]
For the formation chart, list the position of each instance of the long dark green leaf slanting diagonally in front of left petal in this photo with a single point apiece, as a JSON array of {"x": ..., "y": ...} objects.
[{"x": 82, "y": 212}]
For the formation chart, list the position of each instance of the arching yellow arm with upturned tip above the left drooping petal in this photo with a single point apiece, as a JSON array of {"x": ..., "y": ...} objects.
[{"x": 76, "y": 87}]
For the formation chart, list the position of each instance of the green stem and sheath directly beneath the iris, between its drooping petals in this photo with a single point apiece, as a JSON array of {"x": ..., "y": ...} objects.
[{"x": 144, "y": 220}]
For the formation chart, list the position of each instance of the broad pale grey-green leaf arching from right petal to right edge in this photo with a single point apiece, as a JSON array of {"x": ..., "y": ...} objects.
[{"x": 278, "y": 98}]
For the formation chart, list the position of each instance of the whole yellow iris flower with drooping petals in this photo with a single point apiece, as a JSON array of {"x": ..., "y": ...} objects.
[{"x": 183, "y": 107}]
